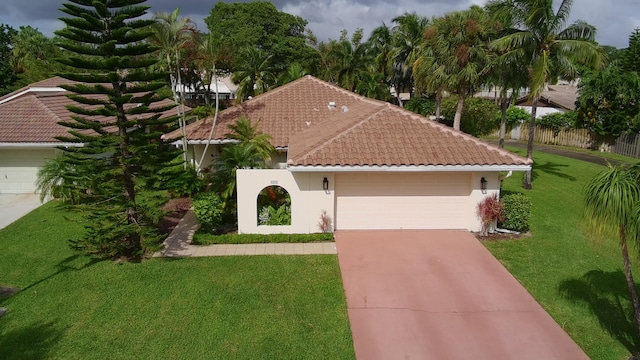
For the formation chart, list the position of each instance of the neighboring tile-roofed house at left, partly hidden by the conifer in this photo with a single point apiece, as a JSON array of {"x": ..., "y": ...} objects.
[{"x": 28, "y": 124}]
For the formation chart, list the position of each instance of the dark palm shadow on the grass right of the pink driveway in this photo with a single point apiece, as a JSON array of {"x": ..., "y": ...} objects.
[{"x": 607, "y": 295}]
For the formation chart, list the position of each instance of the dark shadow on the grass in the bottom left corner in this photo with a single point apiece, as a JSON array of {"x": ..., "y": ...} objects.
[{"x": 32, "y": 342}]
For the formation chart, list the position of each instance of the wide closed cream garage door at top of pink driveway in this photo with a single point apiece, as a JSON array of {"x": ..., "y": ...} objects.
[{"x": 402, "y": 201}]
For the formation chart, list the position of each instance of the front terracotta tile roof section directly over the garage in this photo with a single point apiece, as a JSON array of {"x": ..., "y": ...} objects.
[{"x": 387, "y": 135}]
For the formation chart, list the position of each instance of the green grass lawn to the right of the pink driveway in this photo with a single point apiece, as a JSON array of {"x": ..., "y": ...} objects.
[{"x": 577, "y": 280}]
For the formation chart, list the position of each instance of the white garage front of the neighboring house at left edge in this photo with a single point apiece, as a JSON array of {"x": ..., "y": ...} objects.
[{"x": 19, "y": 168}]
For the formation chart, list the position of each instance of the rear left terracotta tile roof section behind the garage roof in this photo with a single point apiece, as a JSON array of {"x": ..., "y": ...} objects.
[{"x": 282, "y": 112}]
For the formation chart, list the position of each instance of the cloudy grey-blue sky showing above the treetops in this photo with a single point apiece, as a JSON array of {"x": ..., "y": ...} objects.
[{"x": 615, "y": 20}]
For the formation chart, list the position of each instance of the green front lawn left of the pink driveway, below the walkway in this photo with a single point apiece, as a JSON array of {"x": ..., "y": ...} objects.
[{"x": 262, "y": 307}]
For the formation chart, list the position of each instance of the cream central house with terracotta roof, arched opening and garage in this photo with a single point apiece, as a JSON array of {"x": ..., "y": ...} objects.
[{"x": 364, "y": 163}]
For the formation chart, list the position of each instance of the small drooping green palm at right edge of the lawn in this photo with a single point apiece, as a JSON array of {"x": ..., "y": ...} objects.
[{"x": 612, "y": 208}]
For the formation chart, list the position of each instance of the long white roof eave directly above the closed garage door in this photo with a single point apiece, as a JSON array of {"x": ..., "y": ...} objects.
[{"x": 409, "y": 168}]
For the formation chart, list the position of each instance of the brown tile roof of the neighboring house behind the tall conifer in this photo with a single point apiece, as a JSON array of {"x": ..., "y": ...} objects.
[{"x": 31, "y": 115}]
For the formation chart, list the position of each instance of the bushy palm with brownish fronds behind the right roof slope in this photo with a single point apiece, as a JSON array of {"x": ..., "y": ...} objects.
[{"x": 458, "y": 55}]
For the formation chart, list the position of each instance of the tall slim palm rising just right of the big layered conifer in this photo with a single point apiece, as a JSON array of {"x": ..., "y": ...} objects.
[{"x": 171, "y": 34}]
